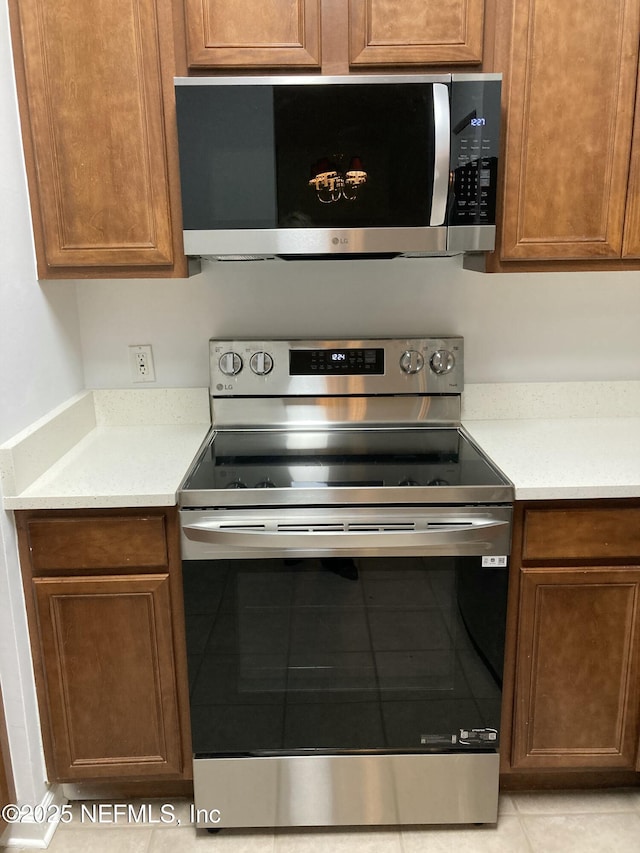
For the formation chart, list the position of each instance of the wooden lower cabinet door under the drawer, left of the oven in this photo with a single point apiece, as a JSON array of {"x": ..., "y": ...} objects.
[{"x": 107, "y": 655}]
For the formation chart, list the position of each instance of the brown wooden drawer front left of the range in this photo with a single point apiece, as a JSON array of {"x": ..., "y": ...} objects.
[{"x": 116, "y": 542}]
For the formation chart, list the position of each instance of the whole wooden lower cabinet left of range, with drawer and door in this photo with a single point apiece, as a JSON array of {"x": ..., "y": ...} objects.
[{"x": 108, "y": 643}]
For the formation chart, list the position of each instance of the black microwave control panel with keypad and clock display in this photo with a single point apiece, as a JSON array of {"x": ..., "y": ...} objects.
[{"x": 475, "y": 143}]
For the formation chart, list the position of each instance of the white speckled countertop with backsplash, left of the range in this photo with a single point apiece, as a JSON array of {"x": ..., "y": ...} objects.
[{"x": 106, "y": 449}]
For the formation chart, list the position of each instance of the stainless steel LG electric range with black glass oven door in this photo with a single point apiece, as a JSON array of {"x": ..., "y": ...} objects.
[{"x": 345, "y": 556}]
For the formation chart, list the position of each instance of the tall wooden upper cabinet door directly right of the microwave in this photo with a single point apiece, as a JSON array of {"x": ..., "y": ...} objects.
[{"x": 570, "y": 82}]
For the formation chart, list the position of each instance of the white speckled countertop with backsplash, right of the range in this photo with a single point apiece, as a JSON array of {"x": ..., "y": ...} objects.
[{"x": 560, "y": 440}]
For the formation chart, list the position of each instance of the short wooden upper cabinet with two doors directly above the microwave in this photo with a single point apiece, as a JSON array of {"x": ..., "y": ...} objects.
[{"x": 332, "y": 35}]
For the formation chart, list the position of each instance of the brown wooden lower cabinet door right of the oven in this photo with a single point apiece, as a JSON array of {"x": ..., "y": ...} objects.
[{"x": 577, "y": 674}]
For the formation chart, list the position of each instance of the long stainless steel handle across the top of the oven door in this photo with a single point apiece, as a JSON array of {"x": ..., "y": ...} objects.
[{"x": 354, "y": 536}]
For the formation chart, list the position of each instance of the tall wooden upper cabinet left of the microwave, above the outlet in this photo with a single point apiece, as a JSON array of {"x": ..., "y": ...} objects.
[{"x": 93, "y": 113}]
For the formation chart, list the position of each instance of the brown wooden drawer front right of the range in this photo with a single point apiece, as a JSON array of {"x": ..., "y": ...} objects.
[{"x": 556, "y": 534}]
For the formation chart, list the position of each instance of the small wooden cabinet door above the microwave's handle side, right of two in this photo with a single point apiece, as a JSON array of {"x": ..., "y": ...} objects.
[{"x": 415, "y": 32}]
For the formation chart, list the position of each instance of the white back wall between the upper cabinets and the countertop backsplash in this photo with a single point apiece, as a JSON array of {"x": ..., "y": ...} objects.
[{"x": 564, "y": 326}]
